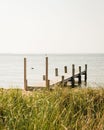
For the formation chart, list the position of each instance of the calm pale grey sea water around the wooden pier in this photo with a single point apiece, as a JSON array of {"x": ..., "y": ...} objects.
[{"x": 11, "y": 67}]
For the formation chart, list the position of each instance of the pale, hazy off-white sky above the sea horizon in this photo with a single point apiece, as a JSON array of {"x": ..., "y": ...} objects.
[{"x": 51, "y": 26}]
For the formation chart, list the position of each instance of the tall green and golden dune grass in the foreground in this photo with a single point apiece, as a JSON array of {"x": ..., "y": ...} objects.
[{"x": 61, "y": 109}]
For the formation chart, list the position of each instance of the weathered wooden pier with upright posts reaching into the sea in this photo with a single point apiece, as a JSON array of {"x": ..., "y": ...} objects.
[{"x": 71, "y": 80}]
